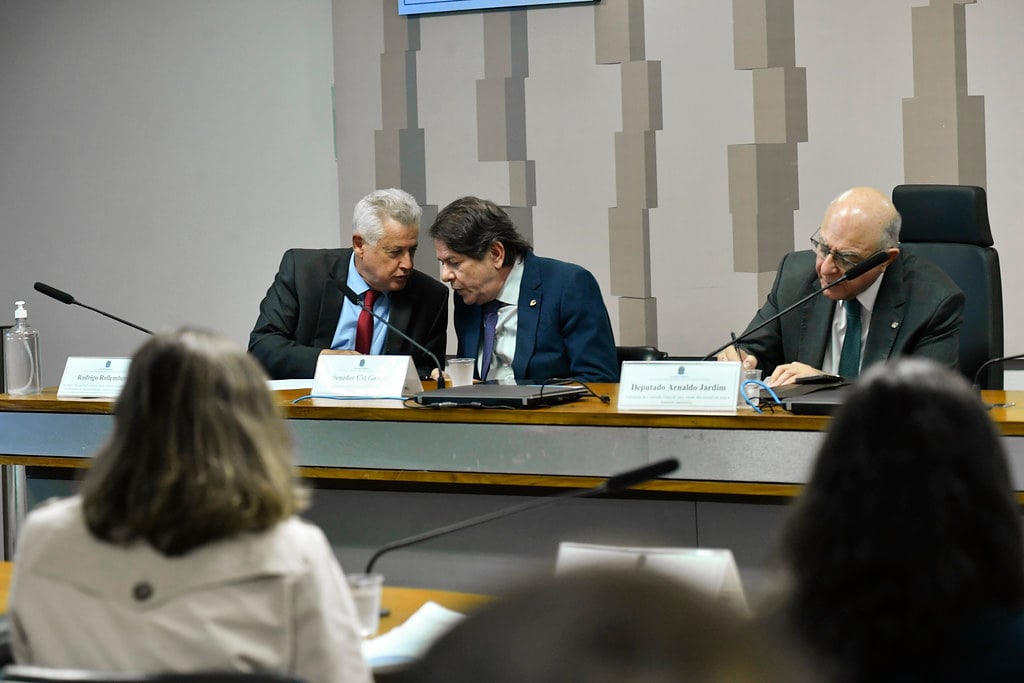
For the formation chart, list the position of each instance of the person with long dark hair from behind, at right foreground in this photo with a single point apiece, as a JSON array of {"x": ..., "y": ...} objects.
[{"x": 906, "y": 548}]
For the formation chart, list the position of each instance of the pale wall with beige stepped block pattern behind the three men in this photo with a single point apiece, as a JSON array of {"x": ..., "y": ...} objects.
[{"x": 829, "y": 96}]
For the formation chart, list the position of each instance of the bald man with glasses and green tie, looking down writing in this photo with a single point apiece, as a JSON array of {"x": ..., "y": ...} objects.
[{"x": 905, "y": 307}]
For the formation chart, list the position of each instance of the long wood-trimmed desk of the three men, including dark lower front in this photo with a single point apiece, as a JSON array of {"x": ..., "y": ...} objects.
[{"x": 734, "y": 473}]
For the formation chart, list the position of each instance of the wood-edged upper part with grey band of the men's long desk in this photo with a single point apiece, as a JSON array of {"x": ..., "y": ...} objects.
[{"x": 570, "y": 446}]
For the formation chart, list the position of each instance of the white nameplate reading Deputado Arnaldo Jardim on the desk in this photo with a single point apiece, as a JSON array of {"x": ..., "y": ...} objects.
[{"x": 693, "y": 387}]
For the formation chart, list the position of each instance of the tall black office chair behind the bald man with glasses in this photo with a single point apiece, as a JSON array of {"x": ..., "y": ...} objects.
[{"x": 949, "y": 226}]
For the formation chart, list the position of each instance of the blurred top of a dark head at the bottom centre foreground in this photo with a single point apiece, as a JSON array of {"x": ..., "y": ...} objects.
[{"x": 600, "y": 626}]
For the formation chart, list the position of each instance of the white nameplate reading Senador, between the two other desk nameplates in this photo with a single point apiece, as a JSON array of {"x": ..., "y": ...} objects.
[{"x": 366, "y": 376}]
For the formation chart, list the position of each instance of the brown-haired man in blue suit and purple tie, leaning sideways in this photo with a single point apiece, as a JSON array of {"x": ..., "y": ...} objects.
[{"x": 548, "y": 317}]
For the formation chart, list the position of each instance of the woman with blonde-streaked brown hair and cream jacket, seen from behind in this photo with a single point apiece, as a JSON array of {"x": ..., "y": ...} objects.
[{"x": 184, "y": 552}]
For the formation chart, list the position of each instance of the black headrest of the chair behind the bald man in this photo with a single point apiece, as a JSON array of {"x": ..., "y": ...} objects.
[{"x": 944, "y": 214}]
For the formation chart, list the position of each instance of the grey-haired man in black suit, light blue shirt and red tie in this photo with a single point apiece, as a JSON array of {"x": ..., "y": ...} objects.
[{"x": 306, "y": 314}]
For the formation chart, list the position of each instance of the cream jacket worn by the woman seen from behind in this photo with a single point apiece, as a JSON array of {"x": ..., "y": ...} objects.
[{"x": 273, "y": 602}]
